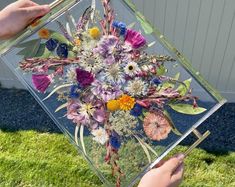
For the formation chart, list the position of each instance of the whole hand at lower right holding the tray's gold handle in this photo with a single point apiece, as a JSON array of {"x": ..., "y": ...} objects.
[{"x": 167, "y": 174}]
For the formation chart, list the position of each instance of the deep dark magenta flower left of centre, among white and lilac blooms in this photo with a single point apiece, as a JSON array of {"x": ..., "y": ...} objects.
[{"x": 84, "y": 78}]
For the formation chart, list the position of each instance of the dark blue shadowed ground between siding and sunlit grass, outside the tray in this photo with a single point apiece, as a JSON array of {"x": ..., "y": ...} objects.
[{"x": 19, "y": 111}]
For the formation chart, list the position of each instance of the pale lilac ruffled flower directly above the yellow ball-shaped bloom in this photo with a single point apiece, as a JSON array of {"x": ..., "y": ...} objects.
[{"x": 105, "y": 92}]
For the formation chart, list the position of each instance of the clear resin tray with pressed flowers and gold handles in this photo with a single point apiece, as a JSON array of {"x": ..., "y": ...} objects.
[{"x": 113, "y": 84}]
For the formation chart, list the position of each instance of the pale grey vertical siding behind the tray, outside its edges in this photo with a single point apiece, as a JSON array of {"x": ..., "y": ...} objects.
[{"x": 204, "y": 30}]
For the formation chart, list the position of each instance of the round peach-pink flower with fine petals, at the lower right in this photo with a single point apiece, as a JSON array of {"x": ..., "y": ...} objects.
[{"x": 156, "y": 126}]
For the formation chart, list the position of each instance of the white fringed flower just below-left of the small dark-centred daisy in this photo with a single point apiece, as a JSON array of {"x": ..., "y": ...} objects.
[{"x": 113, "y": 74}]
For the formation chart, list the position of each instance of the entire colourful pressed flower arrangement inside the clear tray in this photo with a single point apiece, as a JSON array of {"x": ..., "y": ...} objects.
[{"x": 108, "y": 84}]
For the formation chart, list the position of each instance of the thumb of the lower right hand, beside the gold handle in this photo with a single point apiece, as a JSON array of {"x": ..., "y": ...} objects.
[{"x": 173, "y": 163}]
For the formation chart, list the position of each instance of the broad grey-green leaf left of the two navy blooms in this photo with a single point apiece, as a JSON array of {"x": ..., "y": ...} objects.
[{"x": 30, "y": 48}]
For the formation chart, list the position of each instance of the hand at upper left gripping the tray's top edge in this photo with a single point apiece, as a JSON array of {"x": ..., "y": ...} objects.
[{"x": 16, "y": 16}]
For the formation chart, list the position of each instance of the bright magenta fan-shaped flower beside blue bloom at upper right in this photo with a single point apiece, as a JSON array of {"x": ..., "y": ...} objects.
[{"x": 135, "y": 39}]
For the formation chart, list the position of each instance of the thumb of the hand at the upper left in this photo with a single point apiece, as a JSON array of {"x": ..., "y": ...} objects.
[{"x": 36, "y": 11}]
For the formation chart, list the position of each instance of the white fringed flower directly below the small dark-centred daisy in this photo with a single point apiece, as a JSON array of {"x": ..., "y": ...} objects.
[{"x": 136, "y": 87}]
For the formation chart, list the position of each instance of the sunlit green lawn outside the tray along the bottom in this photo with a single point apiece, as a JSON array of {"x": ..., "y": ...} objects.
[{"x": 28, "y": 158}]
